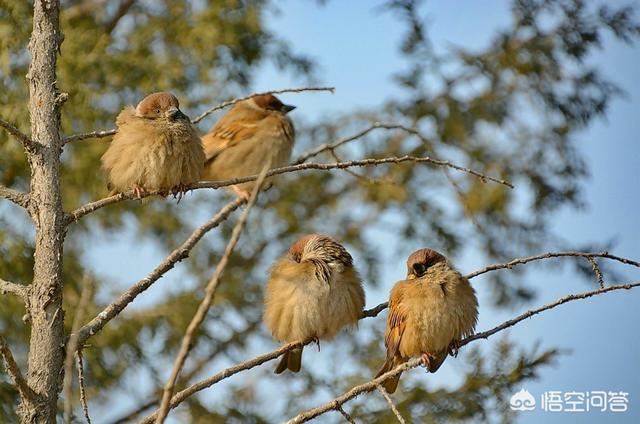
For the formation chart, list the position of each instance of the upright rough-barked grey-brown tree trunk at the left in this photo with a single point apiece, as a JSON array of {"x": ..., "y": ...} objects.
[{"x": 46, "y": 346}]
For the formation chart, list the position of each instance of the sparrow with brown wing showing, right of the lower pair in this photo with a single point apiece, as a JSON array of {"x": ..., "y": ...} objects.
[{"x": 429, "y": 313}]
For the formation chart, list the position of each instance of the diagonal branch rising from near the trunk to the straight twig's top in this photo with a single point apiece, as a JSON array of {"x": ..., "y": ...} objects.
[{"x": 178, "y": 254}]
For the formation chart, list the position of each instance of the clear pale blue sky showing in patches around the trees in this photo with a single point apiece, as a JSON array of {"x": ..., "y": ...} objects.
[{"x": 356, "y": 47}]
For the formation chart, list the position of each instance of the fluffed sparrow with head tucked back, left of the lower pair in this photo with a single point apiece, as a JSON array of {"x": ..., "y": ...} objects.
[{"x": 313, "y": 292}]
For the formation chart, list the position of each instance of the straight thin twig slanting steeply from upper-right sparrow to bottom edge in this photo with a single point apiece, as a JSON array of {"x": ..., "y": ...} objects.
[{"x": 203, "y": 308}]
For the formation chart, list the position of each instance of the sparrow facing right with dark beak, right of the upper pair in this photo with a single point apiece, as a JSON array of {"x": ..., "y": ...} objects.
[{"x": 254, "y": 133}]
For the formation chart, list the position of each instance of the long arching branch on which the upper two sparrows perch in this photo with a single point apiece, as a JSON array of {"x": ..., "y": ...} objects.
[{"x": 93, "y": 206}]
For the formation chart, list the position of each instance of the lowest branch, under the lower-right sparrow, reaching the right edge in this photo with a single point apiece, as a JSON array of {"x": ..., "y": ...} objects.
[{"x": 373, "y": 384}]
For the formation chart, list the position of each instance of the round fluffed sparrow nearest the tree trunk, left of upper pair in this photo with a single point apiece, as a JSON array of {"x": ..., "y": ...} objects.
[{"x": 155, "y": 148}]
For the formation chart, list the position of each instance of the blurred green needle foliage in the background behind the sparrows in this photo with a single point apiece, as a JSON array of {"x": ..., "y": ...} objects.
[{"x": 511, "y": 110}]
